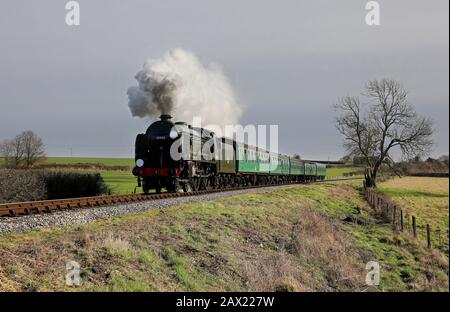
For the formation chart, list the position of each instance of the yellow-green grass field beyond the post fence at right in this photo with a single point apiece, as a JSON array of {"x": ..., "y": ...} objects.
[{"x": 426, "y": 198}]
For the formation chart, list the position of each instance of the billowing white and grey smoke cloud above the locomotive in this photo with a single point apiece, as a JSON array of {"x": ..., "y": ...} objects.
[{"x": 180, "y": 85}]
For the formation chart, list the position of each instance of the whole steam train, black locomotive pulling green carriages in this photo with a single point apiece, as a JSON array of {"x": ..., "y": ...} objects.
[{"x": 204, "y": 161}]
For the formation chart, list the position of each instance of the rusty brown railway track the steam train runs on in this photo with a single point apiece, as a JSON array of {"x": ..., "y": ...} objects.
[{"x": 48, "y": 206}]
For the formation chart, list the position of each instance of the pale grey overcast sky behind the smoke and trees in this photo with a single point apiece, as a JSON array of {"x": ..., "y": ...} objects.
[{"x": 289, "y": 61}]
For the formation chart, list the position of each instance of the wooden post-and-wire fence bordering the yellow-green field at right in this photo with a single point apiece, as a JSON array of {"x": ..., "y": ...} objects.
[{"x": 402, "y": 221}]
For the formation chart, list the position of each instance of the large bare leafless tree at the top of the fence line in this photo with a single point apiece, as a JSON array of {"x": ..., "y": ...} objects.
[{"x": 384, "y": 122}]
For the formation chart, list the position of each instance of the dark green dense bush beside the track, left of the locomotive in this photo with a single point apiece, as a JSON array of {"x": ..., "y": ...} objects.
[{"x": 71, "y": 184}]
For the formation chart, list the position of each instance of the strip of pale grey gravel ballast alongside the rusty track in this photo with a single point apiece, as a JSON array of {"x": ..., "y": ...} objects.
[{"x": 85, "y": 215}]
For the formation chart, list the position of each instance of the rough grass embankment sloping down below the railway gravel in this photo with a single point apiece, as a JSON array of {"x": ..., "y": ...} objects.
[{"x": 289, "y": 238}]
